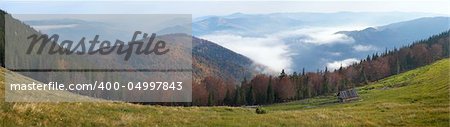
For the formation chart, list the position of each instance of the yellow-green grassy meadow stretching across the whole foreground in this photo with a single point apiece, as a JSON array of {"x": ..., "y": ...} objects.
[{"x": 416, "y": 98}]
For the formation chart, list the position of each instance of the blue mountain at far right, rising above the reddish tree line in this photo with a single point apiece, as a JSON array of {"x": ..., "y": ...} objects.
[{"x": 401, "y": 33}]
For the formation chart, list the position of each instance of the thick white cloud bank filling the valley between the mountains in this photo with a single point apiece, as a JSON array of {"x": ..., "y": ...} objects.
[{"x": 274, "y": 50}]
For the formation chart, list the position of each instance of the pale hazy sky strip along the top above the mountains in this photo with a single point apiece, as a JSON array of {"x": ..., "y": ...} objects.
[{"x": 205, "y": 8}]
